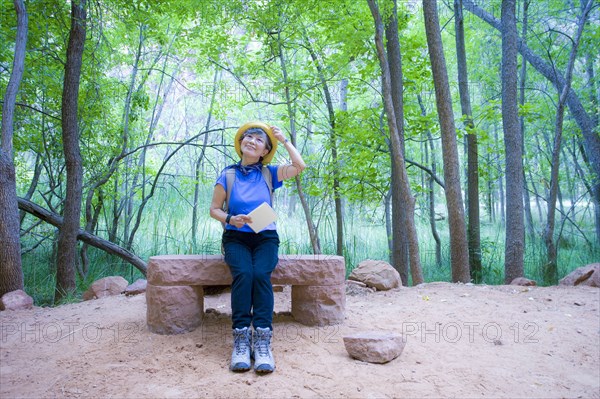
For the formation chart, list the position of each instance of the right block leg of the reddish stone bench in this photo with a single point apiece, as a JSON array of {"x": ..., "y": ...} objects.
[{"x": 319, "y": 305}]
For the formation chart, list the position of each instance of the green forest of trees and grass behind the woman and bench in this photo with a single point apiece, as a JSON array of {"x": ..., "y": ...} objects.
[{"x": 456, "y": 139}]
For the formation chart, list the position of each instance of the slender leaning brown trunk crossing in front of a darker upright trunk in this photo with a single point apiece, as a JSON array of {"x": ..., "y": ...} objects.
[{"x": 397, "y": 153}]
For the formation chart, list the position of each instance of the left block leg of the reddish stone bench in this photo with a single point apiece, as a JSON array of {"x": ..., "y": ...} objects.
[{"x": 174, "y": 309}]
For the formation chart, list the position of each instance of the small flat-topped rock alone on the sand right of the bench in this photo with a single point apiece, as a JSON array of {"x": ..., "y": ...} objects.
[{"x": 374, "y": 346}]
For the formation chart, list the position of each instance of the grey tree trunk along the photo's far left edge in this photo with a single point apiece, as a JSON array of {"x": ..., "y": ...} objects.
[{"x": 11, "y": 271}]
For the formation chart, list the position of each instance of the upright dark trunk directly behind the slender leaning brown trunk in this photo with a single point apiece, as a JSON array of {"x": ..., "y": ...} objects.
[{"x": 400, "y": 247}]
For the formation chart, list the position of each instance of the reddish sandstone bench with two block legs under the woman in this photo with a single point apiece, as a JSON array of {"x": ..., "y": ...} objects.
[{"x": 175, "y": 293}]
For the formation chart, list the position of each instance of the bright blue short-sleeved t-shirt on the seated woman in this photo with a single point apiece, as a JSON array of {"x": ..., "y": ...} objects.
[{"x": 248, "y": 192}]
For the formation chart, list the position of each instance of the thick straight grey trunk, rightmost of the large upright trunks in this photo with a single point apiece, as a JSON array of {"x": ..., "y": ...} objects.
[{"x": 515, "y": 234}]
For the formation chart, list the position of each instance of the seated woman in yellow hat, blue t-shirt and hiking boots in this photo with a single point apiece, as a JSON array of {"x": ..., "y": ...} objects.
[{"x": 251, "y": 256}]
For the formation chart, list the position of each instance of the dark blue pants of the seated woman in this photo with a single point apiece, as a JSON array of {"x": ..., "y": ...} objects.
[{"x": 251, "y": 258}]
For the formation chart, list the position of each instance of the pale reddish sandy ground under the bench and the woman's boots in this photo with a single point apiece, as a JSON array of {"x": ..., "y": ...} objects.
[{"x": 464, "y": 341}]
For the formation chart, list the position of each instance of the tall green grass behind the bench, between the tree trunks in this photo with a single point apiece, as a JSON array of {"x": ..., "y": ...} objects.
[{"x": 166, "y": 229}]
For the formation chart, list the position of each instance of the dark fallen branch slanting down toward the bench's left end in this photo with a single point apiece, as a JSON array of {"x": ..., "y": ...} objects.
[{"x": 88, "y": 238}]
